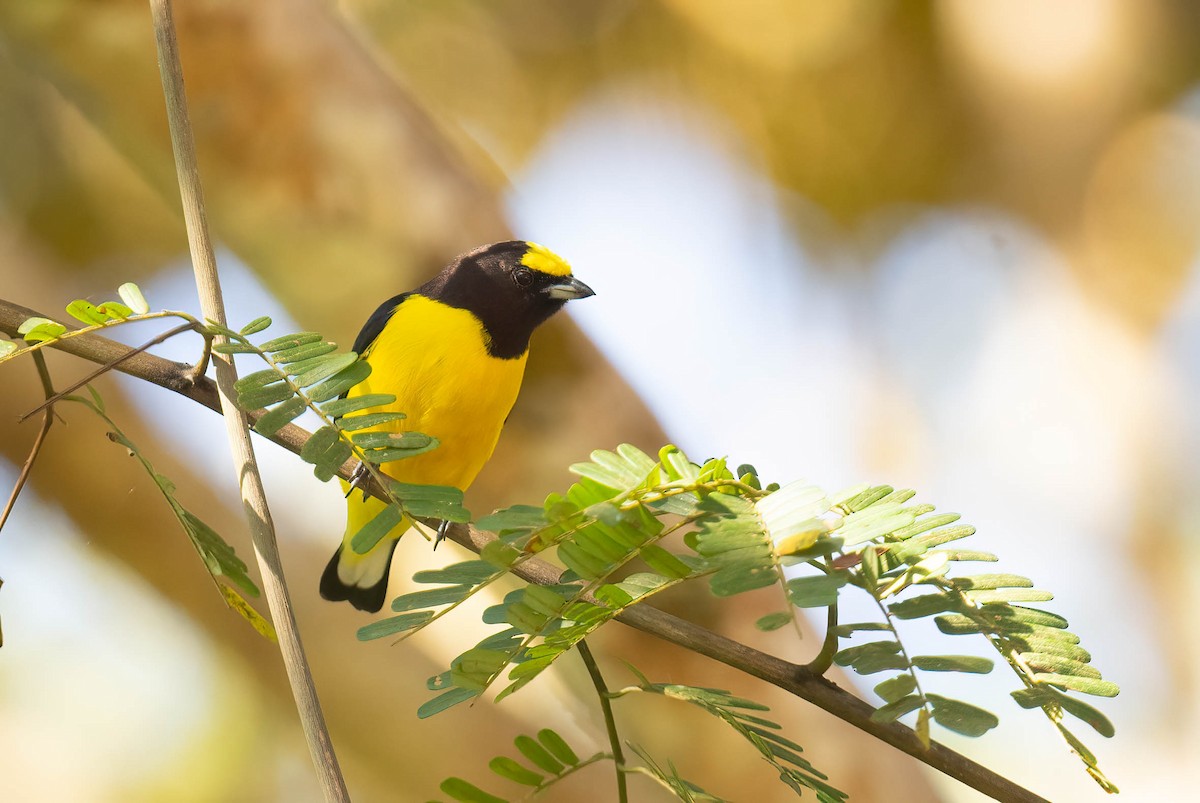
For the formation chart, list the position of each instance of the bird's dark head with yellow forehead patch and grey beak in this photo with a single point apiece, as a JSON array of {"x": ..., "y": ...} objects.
[{"x": 512, "y": 287}]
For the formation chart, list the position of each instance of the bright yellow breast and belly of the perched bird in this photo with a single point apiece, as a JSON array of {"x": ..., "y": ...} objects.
[{"x": 434, "y": 358}]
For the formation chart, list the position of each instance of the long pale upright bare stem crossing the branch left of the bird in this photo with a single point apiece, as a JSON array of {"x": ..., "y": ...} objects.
[{"x": 237, "y": 423}]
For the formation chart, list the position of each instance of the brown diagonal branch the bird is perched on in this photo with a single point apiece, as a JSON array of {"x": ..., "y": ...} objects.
[{"x": 791, "y": 678}]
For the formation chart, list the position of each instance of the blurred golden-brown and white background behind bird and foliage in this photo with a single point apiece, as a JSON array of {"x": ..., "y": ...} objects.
[{"x": 950, "y": 247}]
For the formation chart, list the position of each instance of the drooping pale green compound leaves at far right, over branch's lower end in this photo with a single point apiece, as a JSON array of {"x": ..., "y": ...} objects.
[{"x": 879, "y": 543}]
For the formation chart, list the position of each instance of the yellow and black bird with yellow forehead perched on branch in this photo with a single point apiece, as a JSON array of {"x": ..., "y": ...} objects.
[{"x": 453, "y": 352}]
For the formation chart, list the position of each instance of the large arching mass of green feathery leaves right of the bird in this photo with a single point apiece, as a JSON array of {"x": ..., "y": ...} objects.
[{"x": 608, "y": 532}]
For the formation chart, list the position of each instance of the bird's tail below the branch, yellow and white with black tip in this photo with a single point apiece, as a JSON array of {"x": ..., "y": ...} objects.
[{"x": 362, "y": 579}]
